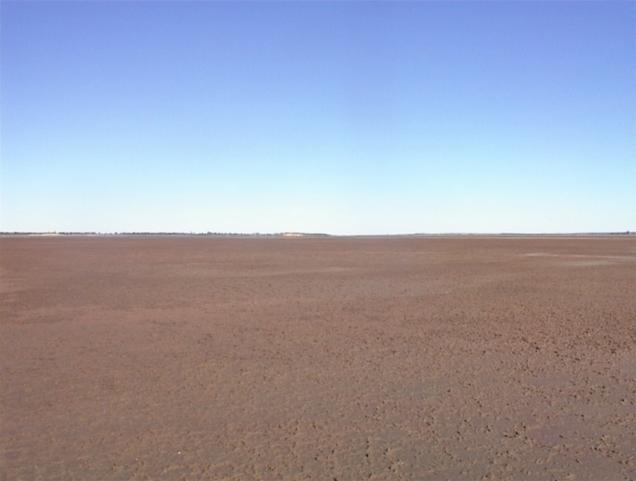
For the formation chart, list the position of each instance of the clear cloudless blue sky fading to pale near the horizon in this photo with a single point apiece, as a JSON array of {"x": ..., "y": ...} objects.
[{"x": 359, "y": 117}]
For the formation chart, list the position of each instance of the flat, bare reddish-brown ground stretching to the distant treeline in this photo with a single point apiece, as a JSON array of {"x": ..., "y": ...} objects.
[{"x": 328, "y": 359}]
